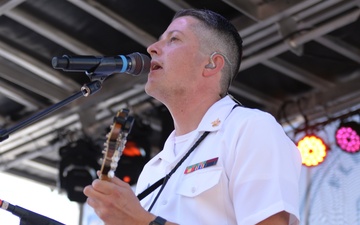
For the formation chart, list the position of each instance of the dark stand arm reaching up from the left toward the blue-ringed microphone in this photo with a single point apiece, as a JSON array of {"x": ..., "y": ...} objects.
[{"x": 86, "y": 90}]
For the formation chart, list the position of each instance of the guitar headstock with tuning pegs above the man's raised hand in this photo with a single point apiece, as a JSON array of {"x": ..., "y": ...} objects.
[{"x": 115, "y": 143}]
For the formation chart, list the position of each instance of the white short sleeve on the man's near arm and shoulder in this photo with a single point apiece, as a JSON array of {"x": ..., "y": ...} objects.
[{"x": 264, "y": 171}]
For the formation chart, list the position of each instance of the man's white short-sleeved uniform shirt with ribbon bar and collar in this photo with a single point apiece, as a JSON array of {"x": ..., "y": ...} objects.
[{"x": 244, "y": 171}]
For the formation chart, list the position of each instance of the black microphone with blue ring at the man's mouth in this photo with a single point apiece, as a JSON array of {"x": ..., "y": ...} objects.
[{"x": 134, "y": 64}]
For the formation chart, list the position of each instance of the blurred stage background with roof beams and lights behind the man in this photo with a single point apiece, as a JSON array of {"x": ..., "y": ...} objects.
[{"x": 301, "y": 63}]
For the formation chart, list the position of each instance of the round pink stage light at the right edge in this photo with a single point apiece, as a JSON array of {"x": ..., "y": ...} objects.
[{"x": 347, "y": 137}]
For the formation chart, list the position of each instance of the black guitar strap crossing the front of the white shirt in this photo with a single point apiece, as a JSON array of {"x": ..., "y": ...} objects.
[{"x": 165, "y": 179}]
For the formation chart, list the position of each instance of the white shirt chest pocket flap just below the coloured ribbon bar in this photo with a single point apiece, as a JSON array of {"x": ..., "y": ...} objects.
[{"x": 199, "y": 181}]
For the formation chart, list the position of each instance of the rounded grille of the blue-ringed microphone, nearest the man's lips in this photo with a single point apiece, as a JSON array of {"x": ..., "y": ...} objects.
[{"x": 140, "y": 64}]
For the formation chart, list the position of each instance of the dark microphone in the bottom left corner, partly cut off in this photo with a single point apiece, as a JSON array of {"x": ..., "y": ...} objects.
[{"x": 28, "y": 217}]
